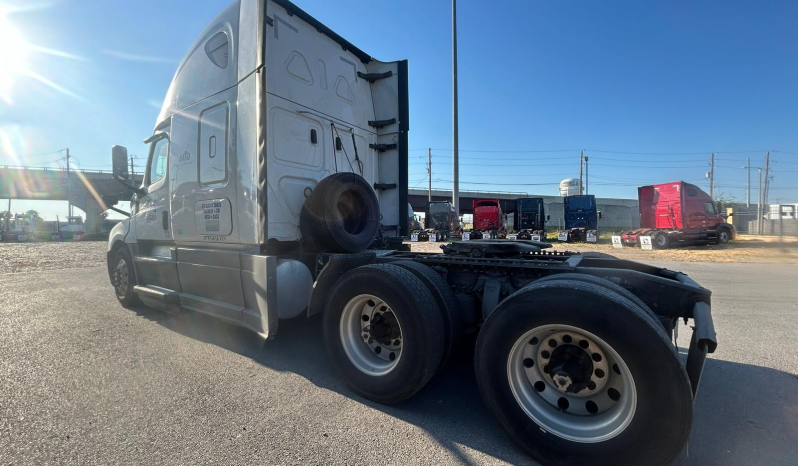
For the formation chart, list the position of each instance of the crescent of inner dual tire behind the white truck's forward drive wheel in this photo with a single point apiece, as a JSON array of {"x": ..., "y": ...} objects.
[{"x": 447, "y": 303}]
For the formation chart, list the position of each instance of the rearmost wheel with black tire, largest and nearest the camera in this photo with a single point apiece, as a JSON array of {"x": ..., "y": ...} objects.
[{"x": 576, "y": 384}]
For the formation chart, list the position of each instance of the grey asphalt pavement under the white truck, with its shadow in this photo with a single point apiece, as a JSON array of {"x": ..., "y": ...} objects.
[{"x": 85, "y": 381}]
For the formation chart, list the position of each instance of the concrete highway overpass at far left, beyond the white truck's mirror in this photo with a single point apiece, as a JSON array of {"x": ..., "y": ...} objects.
[{"x": 84, "y": 188}]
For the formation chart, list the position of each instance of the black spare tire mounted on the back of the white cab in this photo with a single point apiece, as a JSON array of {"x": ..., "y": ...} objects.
[{"x": 341, "y": 215}]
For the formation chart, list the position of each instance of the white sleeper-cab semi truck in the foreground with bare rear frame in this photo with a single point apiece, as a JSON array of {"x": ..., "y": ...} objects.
[{"x": 276, "y": 186}]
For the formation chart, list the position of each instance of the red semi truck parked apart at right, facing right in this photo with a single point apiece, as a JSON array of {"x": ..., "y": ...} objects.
[{"x": 678, "y": 213}]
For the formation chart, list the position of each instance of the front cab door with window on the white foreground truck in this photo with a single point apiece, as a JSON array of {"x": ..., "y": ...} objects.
[{"x": 151, "y": 213}]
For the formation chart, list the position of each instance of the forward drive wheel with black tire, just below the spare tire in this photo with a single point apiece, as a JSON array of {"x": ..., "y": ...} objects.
[{"x": 384, "y": 332}]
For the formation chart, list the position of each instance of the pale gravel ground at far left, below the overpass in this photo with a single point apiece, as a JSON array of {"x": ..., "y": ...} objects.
[{"x": 27, "y": 257}]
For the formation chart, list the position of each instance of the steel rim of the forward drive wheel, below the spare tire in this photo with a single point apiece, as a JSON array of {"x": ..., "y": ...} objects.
[{"x": 368, "y": 351}]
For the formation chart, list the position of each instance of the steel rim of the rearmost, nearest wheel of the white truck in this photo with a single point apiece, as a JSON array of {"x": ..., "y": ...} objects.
[{"x": 527, "y": 374}]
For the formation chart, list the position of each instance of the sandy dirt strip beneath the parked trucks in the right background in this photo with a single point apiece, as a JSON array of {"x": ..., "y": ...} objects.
[{"x": 762, "y": 249}]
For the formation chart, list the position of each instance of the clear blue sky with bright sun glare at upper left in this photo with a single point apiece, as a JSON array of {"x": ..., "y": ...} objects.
[{"x": 647, "y": 89}]
